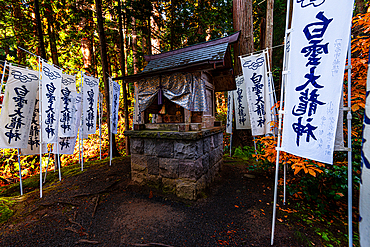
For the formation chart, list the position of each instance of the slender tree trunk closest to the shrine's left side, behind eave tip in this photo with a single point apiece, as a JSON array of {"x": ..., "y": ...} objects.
[{"x": 122, "y": 62}]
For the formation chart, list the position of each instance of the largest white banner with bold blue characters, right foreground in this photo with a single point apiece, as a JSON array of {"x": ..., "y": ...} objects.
[{"x": 318, "y": 45}]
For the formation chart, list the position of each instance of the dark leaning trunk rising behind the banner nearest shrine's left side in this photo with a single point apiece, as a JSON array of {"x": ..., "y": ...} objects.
[{"x": 104, "y": 61}]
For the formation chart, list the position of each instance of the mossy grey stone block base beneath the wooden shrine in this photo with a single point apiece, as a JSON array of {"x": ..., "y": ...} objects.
[{"x": 182, "y": 163}]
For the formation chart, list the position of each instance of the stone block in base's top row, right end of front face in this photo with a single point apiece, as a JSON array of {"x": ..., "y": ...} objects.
[{"x": 188, "y": 149}]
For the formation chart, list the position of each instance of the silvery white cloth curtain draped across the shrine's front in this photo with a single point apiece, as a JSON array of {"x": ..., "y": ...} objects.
[{"x": 184, "y": 89}]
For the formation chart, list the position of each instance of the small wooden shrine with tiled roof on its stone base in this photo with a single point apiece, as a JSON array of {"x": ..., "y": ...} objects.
[{"x": 176, "y": 143}]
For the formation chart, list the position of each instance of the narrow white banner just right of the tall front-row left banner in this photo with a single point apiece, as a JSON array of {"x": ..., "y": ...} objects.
[{"x": 67, "y": 102}]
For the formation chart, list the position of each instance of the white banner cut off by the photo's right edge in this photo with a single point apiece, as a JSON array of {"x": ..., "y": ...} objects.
[{"x": 365, "y": 174}]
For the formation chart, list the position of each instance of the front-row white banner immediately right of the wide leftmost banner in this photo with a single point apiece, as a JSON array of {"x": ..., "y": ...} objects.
[{"x": 51, "y": 86}]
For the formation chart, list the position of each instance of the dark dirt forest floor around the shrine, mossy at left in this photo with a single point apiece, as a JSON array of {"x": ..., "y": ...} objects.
[{"x": 100, "y": 206}]
